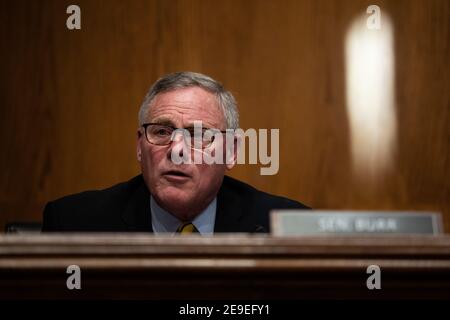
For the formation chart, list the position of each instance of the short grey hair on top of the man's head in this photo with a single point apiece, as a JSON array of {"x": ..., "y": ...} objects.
[{"x": 181, "y": 80}]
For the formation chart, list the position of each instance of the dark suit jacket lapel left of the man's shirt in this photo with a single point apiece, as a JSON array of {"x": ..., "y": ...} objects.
[{"x": 137, "y": 213}]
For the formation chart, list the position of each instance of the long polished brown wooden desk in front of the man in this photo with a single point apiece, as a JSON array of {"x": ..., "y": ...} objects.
[{"x": 139, "y": 266}]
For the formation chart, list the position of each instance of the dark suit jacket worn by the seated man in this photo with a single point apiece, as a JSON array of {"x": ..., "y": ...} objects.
[{"x": 126, "y": 207}]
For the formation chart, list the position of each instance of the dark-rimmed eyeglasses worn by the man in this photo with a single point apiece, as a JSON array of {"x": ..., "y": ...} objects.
[{"x": 161, "y": 135}]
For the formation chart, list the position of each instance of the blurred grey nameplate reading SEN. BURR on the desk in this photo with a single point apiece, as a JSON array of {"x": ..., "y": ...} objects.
[{"x": 322, "y": 222}]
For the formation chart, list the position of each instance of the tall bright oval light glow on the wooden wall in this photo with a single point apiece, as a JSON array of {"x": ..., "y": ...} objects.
[{"x": 370, "y": 97}]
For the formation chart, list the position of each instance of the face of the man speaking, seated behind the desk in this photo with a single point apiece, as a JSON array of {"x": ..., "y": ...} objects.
[{"x": 185, "y": 189}]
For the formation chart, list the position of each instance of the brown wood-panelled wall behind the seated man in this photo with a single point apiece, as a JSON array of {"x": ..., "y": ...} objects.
[{"x": 69, "y": 99}]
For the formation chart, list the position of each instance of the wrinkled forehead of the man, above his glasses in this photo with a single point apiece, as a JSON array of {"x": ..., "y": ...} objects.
[{"x": 184, "y": 106}]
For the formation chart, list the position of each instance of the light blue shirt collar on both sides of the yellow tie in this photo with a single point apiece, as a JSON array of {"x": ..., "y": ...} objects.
[{"x": 165, "y": 222}]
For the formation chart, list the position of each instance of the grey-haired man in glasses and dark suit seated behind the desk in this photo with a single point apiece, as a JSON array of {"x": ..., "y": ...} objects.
[{"x": 171, "y": 196}]
